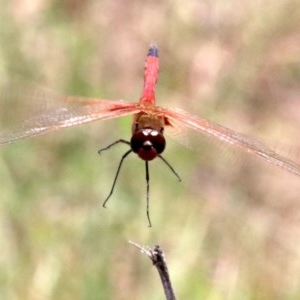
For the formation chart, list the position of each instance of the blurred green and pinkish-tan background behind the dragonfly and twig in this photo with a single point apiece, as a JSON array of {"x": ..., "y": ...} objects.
[{"x": 230, "y": 229}]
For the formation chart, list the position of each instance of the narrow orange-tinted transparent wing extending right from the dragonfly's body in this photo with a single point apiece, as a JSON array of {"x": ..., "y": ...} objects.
[{"x": 229, "y": 136}]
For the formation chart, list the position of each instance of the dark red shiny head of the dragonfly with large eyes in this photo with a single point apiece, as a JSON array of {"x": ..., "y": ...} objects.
[{"x": 147, "y": 143}]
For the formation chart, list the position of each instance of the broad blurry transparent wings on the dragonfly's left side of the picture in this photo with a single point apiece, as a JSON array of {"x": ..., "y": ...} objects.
[{"x": 26, "y": 113}]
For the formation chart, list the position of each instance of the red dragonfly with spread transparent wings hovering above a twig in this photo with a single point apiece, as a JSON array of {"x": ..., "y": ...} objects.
[{"x": 149, "y": 121}]
